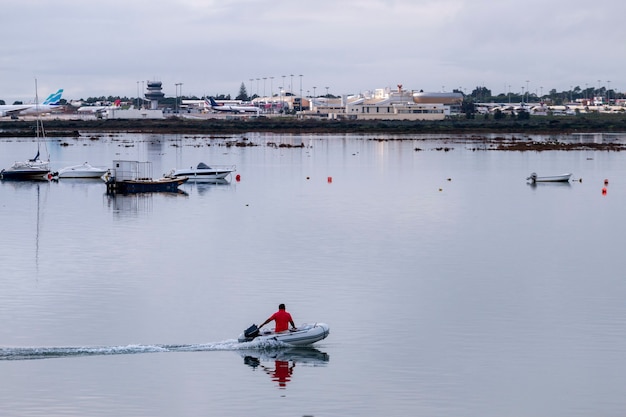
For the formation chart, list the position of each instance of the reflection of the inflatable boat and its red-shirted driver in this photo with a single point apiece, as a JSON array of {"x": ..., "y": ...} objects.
[{"x": 282, "y": 362}]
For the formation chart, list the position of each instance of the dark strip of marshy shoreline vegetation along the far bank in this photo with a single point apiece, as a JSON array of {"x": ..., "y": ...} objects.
[{"x": 481, "y": 129}]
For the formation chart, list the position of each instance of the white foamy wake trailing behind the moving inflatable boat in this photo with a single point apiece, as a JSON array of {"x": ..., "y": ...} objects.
[{"x": 27, "y": 353}]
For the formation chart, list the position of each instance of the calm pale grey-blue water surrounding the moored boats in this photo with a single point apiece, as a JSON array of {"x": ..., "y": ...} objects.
[{"x": 452, "y": 287}]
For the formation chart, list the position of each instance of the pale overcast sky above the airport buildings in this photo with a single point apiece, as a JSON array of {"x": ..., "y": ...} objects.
[{"x": 102, "y": 48}]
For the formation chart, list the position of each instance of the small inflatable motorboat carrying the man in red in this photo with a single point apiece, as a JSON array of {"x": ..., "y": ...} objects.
[{"x": 306, "y": 334}]
